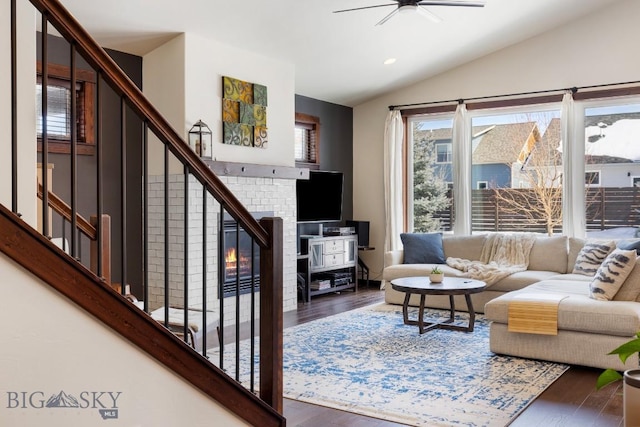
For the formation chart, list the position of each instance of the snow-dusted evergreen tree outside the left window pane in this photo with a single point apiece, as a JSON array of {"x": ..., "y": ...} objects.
[{"x": 429, "y": 182}]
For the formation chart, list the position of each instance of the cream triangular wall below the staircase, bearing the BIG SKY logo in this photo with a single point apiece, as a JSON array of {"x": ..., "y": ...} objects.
[{"x": 50, "y": 345}]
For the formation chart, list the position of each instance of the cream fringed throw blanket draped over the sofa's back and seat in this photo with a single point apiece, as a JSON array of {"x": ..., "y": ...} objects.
[{"x": 502, "y": 255}]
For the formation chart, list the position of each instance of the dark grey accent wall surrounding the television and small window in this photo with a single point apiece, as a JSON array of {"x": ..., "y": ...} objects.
[{"x": 336, "y": 146}]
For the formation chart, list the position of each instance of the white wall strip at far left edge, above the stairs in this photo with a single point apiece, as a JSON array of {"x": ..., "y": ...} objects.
[{"x": 27, "y": 199}]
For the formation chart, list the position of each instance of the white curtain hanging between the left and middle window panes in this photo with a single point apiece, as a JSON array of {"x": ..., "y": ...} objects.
[{"x": 461, "y": 148}]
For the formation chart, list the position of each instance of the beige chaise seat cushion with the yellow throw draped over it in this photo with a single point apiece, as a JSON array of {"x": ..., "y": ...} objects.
[{"x": 577, "y": 312}]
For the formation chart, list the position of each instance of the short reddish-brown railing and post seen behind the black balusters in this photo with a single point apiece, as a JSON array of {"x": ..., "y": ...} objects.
[{"x": 89, "y": 229}]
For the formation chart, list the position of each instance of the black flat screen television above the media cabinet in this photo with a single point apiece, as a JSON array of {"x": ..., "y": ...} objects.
[{"x": 319, "y": 198}]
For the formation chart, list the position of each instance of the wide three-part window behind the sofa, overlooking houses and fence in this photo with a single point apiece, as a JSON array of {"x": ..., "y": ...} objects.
[{"x": 517, "y": 151}]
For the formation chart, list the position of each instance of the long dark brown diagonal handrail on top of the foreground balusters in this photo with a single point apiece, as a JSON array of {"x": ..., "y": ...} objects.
[{"x": 67, "y": 25}]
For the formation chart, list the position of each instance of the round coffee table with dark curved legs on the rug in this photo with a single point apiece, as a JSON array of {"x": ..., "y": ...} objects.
[{"x": 449, "y": 286}]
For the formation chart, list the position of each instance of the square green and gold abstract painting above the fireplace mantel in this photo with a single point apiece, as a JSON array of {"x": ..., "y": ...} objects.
[{"x": 244, "y": 113}]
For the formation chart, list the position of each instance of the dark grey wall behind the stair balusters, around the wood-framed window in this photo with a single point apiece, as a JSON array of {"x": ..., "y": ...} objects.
[{"x": 111, "y": 142}]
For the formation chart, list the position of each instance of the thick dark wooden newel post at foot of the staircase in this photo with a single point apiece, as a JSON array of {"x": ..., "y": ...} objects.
[{"x": 271, "y": 323}]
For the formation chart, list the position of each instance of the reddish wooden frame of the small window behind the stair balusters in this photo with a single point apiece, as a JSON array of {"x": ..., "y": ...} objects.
[{"x": 85, "y": 131}]
